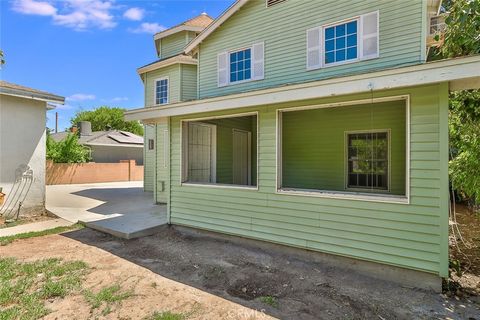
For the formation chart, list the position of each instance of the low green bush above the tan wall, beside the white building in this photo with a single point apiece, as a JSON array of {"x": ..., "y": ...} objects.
[{"x": 67, "y": 150}]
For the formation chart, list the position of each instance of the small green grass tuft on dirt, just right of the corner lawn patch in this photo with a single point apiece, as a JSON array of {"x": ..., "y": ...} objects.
[{"x": 106, "y": 297}]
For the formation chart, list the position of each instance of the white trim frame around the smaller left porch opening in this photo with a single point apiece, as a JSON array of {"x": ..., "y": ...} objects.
[{"x": 215, "y": 185}]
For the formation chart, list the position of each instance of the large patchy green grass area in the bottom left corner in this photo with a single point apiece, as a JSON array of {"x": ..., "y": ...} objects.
[{"x": 24, "y": 286}]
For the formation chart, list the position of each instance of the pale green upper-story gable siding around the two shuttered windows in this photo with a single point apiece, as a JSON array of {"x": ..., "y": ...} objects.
[{"x": 283, "y": 29}]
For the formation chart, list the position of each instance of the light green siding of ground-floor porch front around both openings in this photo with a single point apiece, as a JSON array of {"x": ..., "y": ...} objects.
[{"x": 406, "y": 235}]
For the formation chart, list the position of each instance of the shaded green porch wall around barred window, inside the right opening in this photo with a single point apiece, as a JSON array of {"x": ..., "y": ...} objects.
[{"x": 312, "y": 162}]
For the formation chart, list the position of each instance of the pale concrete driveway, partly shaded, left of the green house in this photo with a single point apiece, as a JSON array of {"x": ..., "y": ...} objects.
[{"x": 119, "y": 208}]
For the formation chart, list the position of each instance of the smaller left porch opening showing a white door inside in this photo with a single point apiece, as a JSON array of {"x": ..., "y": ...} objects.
[{"x": 220, "y": 151}]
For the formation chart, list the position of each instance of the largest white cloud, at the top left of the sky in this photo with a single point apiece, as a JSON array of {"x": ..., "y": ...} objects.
[{"x": 76, "y": 14}]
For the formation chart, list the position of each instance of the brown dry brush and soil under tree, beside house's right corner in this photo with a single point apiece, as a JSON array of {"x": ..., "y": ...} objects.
[{"x": 465, "y": 250}]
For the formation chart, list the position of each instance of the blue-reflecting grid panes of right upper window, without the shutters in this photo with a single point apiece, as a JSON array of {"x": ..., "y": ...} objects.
[{"x": 341, "y": 42}]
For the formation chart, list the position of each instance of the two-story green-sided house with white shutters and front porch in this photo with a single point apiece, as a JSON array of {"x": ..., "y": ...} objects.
[{"x": 313, "y": 124}]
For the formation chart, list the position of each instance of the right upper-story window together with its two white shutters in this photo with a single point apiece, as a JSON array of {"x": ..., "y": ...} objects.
[{"x": 343, "y": 42}]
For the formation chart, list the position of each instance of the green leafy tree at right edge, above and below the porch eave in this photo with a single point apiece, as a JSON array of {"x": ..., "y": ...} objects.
[{"x": 462, "y": 37}]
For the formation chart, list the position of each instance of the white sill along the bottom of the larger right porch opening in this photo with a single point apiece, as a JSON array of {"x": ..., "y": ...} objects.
[{"x": 346, "y": 195}]
